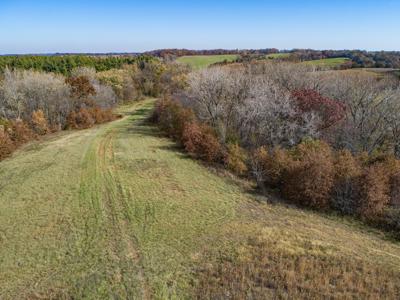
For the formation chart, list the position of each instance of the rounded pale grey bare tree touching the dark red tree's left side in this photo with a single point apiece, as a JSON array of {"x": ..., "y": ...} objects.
[{"x": 269, "y": 117}]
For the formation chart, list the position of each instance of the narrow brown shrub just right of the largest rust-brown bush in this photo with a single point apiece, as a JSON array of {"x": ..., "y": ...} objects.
[{"x": 347, "y": 169}]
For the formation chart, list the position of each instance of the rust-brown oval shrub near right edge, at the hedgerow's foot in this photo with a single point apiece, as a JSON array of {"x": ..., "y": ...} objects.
[{"x": 372, "y": 191}]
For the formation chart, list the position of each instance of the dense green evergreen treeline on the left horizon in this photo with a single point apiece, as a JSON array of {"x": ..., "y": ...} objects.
[{"x": 65, "y": 64}]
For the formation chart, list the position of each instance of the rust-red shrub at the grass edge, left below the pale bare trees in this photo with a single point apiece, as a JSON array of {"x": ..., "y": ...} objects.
[{"x": 200, "y": 141}]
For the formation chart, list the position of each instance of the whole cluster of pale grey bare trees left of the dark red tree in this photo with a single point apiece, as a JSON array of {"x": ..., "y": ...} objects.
[{"x": 250, "y": 105}]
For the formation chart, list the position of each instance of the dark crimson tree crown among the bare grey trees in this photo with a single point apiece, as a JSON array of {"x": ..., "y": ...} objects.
[{"x": 331, "y": 111}]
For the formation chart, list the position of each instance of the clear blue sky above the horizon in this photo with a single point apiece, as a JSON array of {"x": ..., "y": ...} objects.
[{"x": 127, "y": 26}]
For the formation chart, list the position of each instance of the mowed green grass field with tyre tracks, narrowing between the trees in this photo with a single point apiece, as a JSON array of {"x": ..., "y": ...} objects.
[{"x": 118, "y": 212}]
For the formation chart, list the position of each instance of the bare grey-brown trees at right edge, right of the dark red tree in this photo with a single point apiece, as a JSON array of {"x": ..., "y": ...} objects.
[{"x": 372, "y": 111}]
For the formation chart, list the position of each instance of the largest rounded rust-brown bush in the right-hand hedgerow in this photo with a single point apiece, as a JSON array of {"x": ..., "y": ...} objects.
[{"x": 308, "y": 178}]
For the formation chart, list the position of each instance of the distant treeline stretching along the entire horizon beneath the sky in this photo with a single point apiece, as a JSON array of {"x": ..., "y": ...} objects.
[{"x": 64, "y": 64}]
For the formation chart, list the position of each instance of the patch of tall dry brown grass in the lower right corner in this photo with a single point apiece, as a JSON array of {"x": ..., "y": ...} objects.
[{"x": 262, "y": 269}]
